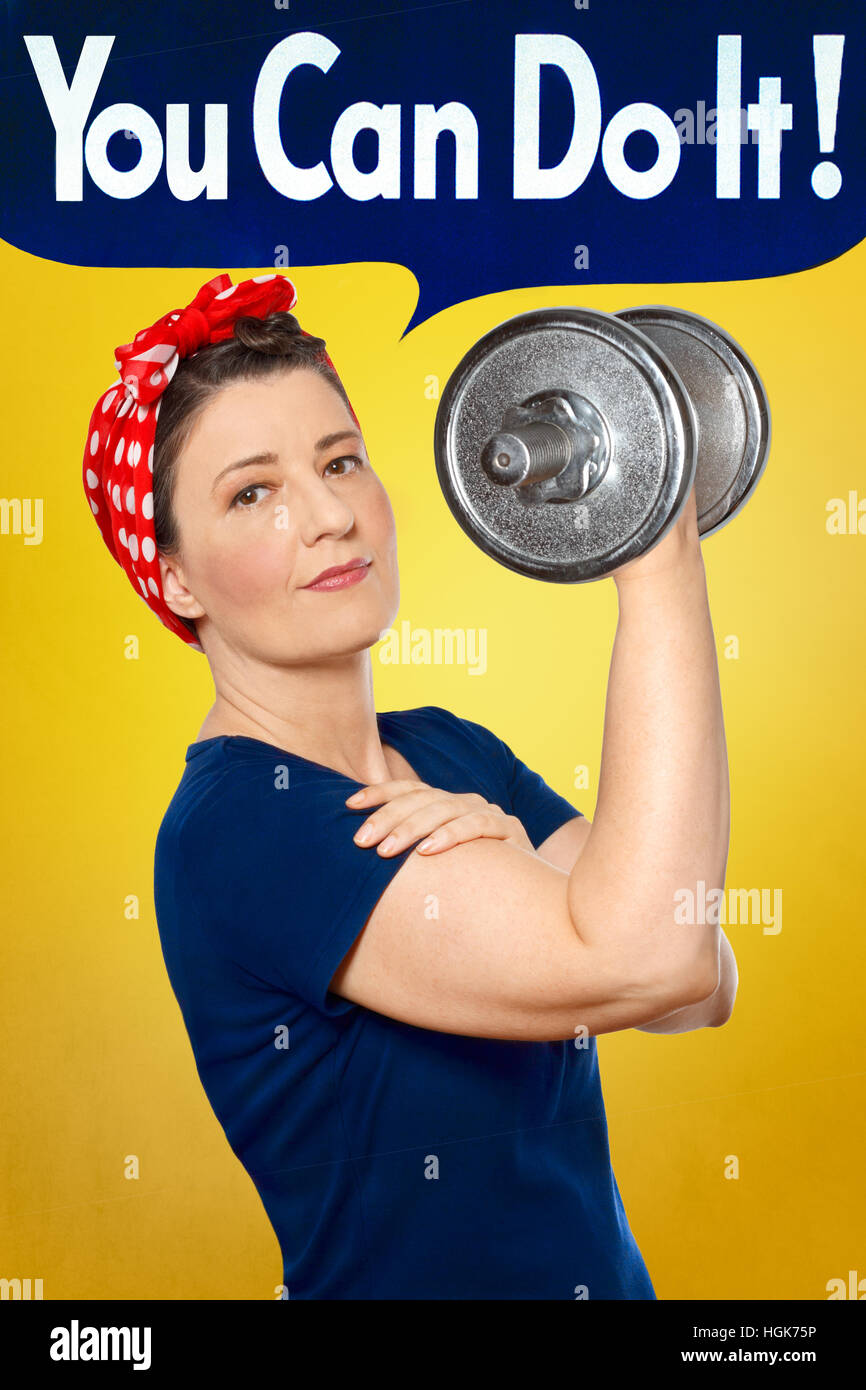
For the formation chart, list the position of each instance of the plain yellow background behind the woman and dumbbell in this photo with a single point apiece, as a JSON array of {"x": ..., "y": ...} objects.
[{"x": 97, "y": 1064}]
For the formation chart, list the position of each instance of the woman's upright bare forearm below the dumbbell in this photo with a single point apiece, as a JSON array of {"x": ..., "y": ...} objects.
[{"x": 662, "y": 818}]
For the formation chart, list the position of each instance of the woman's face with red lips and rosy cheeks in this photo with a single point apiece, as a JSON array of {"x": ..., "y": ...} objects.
[{"x": 273, "y": 487}]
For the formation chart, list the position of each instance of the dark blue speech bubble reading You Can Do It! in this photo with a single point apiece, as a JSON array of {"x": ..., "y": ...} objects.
[{"x": 486, "y": 148}]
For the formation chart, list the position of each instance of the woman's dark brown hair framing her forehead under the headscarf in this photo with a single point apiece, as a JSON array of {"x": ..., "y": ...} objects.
[{"x": 259, "y": 348}]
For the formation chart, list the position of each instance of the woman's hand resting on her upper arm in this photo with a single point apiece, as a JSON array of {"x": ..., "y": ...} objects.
[{"x": 414, "y": 810}]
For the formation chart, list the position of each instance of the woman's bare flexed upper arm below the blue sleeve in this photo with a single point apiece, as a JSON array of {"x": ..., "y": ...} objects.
[{"x": 480, "y": 942}]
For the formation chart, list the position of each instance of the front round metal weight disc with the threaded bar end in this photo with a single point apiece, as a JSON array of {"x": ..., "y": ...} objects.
[{"x": 643, "y": 419}]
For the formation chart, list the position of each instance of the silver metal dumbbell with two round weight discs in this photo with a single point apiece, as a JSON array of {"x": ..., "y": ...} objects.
[{"x": 568, "y": 440}]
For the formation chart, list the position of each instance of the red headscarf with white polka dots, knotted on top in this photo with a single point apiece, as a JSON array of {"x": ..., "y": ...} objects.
[{"x": 119, "y": 455}]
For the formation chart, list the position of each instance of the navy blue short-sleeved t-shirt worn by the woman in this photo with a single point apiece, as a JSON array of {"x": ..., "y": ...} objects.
[{"x": 393, "y": 1161}]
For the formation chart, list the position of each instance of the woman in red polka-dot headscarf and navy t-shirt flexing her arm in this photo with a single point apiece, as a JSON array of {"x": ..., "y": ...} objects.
[{"x": 398, "y": 1032}]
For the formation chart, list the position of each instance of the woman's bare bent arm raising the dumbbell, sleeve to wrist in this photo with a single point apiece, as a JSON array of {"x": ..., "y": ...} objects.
[{"x": 490, "y": 940}]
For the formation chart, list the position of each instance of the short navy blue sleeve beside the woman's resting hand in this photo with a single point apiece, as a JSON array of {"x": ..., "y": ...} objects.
[{"x": 280, "y": 888}]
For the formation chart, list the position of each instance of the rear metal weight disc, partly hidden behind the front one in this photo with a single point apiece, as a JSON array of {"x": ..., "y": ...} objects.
[{"x": 730, "y": 404}]
